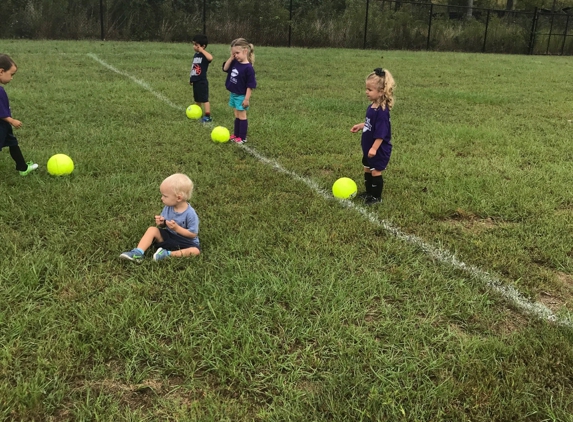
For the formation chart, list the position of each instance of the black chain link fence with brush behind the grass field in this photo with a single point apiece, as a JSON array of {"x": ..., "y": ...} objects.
[{"x": 375, "y": 24}]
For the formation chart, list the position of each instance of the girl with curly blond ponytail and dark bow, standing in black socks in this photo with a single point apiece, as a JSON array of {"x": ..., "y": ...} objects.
[{"x": 376, "y": 133}]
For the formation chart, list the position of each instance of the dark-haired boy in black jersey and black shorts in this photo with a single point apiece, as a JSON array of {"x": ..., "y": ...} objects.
[{"x": 198, "y": 77}]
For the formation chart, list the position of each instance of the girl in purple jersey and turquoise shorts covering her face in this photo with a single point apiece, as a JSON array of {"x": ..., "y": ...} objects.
[{"x": 240, "y": 83}]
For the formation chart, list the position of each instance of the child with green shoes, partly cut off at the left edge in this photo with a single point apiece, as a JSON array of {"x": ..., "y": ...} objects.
[{"x": 7, "y": 139}]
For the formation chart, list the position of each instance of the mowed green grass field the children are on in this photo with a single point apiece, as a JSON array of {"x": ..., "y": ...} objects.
[{"x": 299, "y": 308}]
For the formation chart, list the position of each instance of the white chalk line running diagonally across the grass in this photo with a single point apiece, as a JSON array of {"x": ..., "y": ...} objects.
[{"x": 443, "y": 256}]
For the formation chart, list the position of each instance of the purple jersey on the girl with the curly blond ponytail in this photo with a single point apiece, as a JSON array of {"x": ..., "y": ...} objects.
[{"x": 377, "y": 126}]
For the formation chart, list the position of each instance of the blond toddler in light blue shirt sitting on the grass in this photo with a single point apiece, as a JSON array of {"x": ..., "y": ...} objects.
[{"x": 177, "y": 228}]
